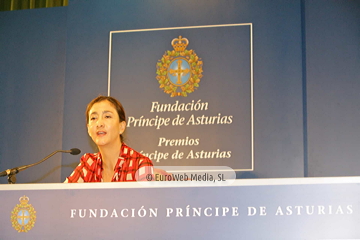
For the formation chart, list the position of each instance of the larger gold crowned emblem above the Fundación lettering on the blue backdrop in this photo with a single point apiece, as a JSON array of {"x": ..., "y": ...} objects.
[{"x": 179, "y": 71}]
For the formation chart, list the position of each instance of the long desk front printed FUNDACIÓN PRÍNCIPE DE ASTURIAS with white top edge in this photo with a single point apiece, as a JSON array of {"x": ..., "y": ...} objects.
[{"x": 289, "y": 208}]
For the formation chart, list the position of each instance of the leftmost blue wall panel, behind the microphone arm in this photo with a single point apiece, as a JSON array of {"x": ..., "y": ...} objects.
[{"x": 32, "y": 51}]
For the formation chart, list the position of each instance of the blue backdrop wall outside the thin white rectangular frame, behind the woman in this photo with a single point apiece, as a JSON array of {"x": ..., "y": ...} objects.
[{"x": 306, "y": 79}]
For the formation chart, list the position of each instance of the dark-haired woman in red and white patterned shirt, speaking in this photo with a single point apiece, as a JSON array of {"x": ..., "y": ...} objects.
[{"x": 115, "y": 161}]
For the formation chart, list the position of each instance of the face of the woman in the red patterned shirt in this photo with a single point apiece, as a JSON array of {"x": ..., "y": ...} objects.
[{"x": 104, "y": 127}]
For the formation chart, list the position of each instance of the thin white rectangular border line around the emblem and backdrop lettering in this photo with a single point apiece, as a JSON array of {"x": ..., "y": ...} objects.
[{"x": 206, "y": 26}]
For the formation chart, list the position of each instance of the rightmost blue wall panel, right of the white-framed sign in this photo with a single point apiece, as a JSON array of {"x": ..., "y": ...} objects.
[{"x": 333, "y": 84}]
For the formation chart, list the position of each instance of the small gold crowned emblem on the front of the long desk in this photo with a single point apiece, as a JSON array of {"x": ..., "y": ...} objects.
[{"x": 23, "y": 216}]
